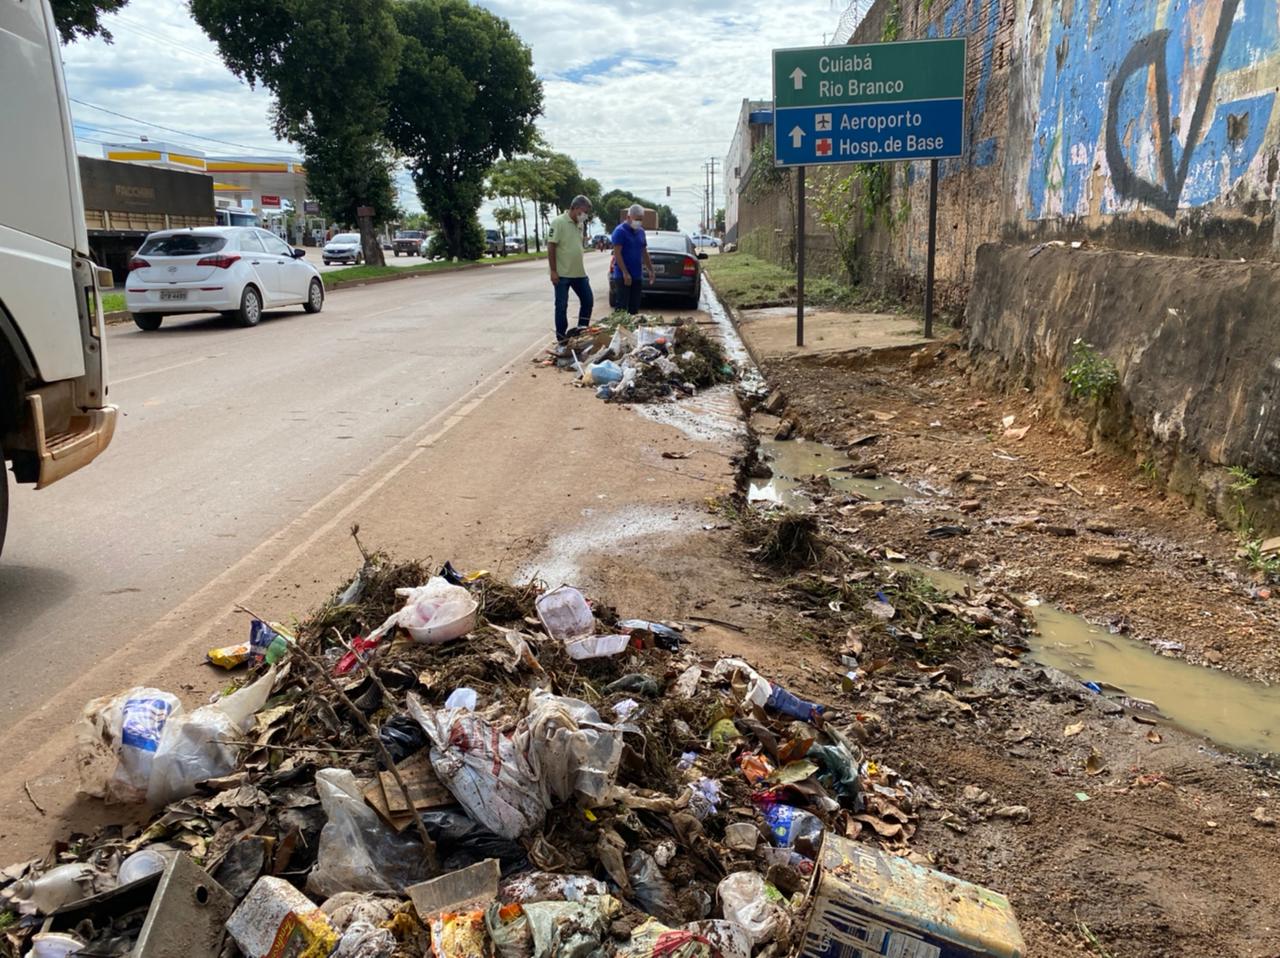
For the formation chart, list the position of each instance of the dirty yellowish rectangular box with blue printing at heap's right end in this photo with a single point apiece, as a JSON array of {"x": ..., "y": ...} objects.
[{"x": 866, "y": 904}]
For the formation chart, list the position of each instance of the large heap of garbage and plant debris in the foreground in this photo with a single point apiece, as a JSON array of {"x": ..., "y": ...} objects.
[{"x": 451, "y": 765}]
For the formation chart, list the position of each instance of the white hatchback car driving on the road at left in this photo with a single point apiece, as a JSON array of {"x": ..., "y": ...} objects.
[{"x": 235, "y": 271}]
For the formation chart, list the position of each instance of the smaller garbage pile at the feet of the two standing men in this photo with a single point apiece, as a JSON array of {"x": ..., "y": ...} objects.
[{"x": 643, "y": 359}]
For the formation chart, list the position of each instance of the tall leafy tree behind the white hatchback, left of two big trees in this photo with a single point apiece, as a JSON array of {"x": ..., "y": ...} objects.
[{"x": 330, "y": 67}]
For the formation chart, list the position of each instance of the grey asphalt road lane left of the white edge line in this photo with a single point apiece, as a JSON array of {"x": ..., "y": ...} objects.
[{"x": 227, "y": 435}]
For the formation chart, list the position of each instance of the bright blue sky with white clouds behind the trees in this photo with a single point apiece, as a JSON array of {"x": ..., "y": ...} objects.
[{"x": 641, "y": 93}]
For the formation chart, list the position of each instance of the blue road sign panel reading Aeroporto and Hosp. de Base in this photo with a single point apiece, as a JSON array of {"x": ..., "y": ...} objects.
[{"x": 926, "y": 130}]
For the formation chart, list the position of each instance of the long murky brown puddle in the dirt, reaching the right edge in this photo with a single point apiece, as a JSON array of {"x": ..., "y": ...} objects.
[{"x": 1235, "y": 713}]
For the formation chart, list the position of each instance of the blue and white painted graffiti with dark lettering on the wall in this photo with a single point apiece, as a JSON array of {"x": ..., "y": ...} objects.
[{"x": 1164, "y": 106}]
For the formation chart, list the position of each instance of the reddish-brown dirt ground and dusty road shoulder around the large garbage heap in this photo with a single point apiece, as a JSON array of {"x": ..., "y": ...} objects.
[{"x": 1122, "y": 838}]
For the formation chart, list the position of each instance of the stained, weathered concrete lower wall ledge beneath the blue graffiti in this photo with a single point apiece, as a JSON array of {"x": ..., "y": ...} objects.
[{"x": 1195, "y": 344}]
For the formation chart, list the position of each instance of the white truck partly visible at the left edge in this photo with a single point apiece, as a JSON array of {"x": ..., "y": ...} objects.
[{"x": 54, "y": 417}]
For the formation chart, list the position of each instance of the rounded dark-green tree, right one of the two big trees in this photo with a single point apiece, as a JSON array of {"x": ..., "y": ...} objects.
[{"x": 465, "y": 95}]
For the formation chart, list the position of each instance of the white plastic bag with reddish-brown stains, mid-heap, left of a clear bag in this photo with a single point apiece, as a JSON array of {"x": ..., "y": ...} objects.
[{"x": 484, "y": 769}]
